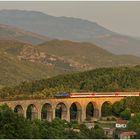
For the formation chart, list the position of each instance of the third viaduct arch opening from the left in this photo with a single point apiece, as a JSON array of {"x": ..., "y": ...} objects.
[{"x": 46, "y": 112}]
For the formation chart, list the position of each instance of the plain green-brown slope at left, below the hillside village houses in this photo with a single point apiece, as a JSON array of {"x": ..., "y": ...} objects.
[{"x": 13, "y": 71}]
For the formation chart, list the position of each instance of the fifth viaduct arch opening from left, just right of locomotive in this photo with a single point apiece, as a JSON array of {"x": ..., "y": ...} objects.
[{"x": 75, "y": 112}]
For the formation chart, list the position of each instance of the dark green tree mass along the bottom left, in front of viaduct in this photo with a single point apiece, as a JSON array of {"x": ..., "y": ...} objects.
[{"x": 17, "y": 127}]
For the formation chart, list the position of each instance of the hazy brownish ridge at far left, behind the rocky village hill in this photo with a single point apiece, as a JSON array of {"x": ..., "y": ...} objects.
[{"x": 12, "y": 33}]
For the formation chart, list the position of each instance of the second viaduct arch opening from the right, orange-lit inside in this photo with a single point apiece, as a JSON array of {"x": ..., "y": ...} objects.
[{"x": 92, "y": 110}]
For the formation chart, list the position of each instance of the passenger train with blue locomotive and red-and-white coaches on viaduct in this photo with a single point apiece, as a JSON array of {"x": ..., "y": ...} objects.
[{"x": 95, "y": 94}]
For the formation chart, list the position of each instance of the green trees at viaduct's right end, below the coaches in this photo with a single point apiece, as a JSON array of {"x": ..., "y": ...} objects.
[{"x": 121, "y": 109}]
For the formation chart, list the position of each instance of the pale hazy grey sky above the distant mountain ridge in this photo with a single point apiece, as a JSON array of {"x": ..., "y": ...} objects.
[{"x": 121, "y": 17}]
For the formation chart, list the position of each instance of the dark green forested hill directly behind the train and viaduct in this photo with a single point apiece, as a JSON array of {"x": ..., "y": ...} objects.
[{"x": 103, "y": 79}]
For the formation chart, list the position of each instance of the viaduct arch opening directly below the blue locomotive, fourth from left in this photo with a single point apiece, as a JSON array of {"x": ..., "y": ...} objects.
[{"x": 61, "y": 111}]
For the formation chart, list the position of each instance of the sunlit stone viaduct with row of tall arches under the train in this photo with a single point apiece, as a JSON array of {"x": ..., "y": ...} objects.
[{"x": 50, "y": 105}]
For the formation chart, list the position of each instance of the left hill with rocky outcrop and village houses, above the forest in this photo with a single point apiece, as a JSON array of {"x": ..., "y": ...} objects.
[{"x": 20, "y": 61}]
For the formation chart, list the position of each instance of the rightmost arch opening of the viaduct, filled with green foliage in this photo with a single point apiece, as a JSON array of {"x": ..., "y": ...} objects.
[{"x": 106, "y": 109}]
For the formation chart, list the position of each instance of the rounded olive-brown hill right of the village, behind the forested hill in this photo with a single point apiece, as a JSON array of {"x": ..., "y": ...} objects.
[{"x": 86, "y": 55}]
